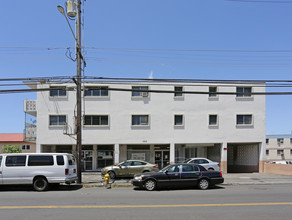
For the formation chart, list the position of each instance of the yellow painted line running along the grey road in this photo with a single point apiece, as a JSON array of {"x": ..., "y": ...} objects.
[{"x": 144, "y": 206}]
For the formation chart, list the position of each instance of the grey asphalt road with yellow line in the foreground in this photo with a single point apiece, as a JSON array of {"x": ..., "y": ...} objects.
[{"x": 268, "y": 202}]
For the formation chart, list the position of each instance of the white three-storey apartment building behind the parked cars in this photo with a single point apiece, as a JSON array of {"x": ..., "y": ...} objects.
[{"x": 161, "y": 128}]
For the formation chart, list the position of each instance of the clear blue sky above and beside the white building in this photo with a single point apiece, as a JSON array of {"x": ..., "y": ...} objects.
[{"x": 189, "y": 39}]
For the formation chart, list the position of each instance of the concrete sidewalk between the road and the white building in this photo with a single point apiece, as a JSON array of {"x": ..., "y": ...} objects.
[{"x": 94, "y": 179}]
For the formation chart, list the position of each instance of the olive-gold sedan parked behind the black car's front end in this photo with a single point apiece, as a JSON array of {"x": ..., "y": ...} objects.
[{"x": 129, "y": 168}]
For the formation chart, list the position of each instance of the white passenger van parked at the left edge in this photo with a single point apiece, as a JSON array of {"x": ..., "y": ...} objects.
[{"x": 38, "y": 169}]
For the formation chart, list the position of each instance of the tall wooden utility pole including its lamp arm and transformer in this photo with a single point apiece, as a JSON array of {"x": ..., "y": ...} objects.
[{"x": 78, "y": 76}]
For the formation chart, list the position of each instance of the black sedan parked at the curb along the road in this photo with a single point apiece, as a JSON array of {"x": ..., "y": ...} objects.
[{"x": 179, "y": 175}]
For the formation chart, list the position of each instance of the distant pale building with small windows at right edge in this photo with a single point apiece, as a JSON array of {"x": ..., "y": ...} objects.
[{"x": 279, "y": 147}]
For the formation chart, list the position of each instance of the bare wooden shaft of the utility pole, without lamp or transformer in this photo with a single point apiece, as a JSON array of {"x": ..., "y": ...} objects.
[{"x": 78, "y": 92}]
